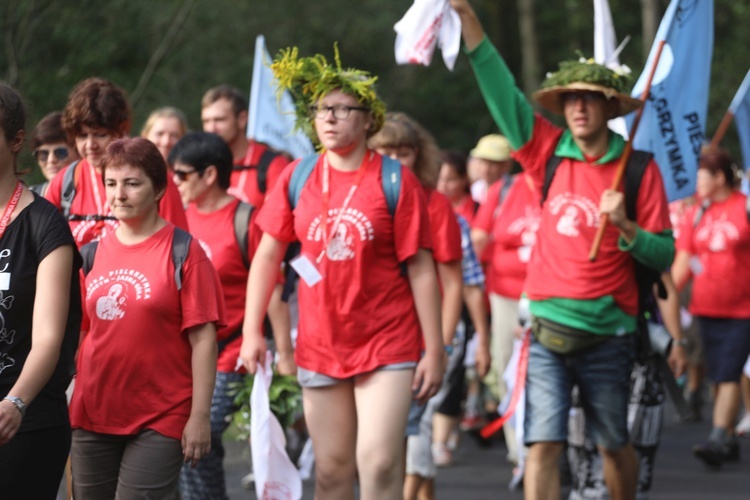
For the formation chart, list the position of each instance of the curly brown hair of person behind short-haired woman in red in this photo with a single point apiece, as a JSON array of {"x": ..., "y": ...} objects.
[{"x": 97, "y": 103}]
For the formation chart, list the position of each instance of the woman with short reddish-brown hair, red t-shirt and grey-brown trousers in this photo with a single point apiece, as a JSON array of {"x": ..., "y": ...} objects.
[{"x": 147, "y": 361}]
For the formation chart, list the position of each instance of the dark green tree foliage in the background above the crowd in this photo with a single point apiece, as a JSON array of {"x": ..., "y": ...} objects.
[{"x": 50, "y": 45}]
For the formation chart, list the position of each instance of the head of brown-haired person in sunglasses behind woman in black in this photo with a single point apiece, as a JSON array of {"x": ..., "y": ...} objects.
[{"x": 51, "y": 148}]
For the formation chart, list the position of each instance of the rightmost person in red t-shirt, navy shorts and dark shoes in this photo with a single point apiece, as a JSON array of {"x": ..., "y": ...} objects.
[{"x": 713, "y": 246}]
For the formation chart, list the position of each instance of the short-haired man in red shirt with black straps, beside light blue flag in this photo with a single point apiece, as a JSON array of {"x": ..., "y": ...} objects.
[{"x": 224, "y": 111}]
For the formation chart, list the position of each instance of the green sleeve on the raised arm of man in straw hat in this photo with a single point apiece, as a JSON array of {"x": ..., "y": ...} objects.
[{"x": 507, "y": 104}]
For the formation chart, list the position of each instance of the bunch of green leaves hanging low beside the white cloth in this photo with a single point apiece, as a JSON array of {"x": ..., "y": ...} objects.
[{"x": 284, "y": 396}]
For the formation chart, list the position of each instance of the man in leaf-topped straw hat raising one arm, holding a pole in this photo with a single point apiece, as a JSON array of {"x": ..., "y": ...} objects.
[{"x": 584, "y": 311}]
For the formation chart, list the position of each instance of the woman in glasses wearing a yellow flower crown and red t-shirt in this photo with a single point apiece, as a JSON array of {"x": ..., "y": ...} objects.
[{"x": 368, "y": 285}]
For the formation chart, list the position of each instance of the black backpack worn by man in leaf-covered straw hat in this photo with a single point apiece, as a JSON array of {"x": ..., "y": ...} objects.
[{"x": 645, "y": 276}]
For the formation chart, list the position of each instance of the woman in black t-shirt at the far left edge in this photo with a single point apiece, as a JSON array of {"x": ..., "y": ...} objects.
[{"x": 39, "y": 303}]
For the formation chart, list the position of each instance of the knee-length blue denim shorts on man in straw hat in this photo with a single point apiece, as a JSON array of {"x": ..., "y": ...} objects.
[{"x": 601, "y": 372}]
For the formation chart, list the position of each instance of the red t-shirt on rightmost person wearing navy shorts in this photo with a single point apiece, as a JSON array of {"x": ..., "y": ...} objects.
[{"x": 721, "y": 240}]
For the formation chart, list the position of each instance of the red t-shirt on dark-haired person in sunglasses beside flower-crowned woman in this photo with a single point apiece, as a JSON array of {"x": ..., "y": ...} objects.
[{"x": 215, "y": 233}]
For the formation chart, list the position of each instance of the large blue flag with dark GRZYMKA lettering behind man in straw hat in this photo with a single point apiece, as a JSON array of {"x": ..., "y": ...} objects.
[{"x": 673, "y": 124}]
